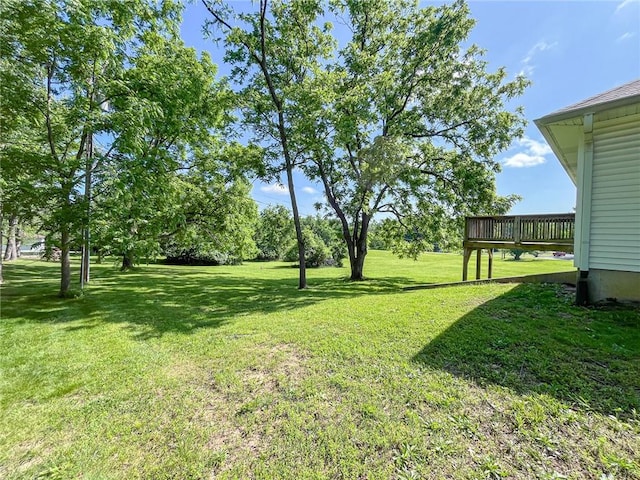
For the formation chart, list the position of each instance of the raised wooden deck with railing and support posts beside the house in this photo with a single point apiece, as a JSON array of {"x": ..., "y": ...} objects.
[{"x": 553, "y": 232}]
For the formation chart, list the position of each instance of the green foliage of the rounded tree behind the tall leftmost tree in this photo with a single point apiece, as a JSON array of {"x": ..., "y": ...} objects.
[{"x": 168, "y": 156}]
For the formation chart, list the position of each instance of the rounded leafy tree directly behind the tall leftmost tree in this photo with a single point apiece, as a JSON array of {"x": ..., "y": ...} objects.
[{"x": 166, "y": 116}]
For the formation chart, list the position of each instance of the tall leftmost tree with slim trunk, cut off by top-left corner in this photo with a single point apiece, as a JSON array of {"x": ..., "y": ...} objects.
[{"x": 60, "y": 58}]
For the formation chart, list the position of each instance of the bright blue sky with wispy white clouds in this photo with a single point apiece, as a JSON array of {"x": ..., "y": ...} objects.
[{"x": 570, "y": 50}]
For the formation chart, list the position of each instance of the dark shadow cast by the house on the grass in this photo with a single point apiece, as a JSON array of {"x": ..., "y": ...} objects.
[{"x": 533, "y": 340}]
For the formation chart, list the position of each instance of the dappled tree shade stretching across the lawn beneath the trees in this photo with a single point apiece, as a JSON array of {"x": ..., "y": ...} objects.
[{"x": 162, "y": 299}]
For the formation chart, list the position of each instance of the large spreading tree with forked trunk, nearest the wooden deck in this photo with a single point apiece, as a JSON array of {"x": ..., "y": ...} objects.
[{"x": 412, "y": 123}]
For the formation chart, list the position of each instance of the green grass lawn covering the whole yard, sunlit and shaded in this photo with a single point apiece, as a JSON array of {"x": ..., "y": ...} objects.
[{"x": 230, "y": 372}]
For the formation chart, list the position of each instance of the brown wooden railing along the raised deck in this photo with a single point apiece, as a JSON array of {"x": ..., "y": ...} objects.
[{"x": 517, "y": 229}]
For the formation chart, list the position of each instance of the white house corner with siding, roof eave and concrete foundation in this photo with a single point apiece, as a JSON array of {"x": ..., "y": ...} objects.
[{"x": 598, "y": 143}]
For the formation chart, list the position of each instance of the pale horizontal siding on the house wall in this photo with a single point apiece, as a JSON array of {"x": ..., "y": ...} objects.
[{"x": 615, "y": 197}]
